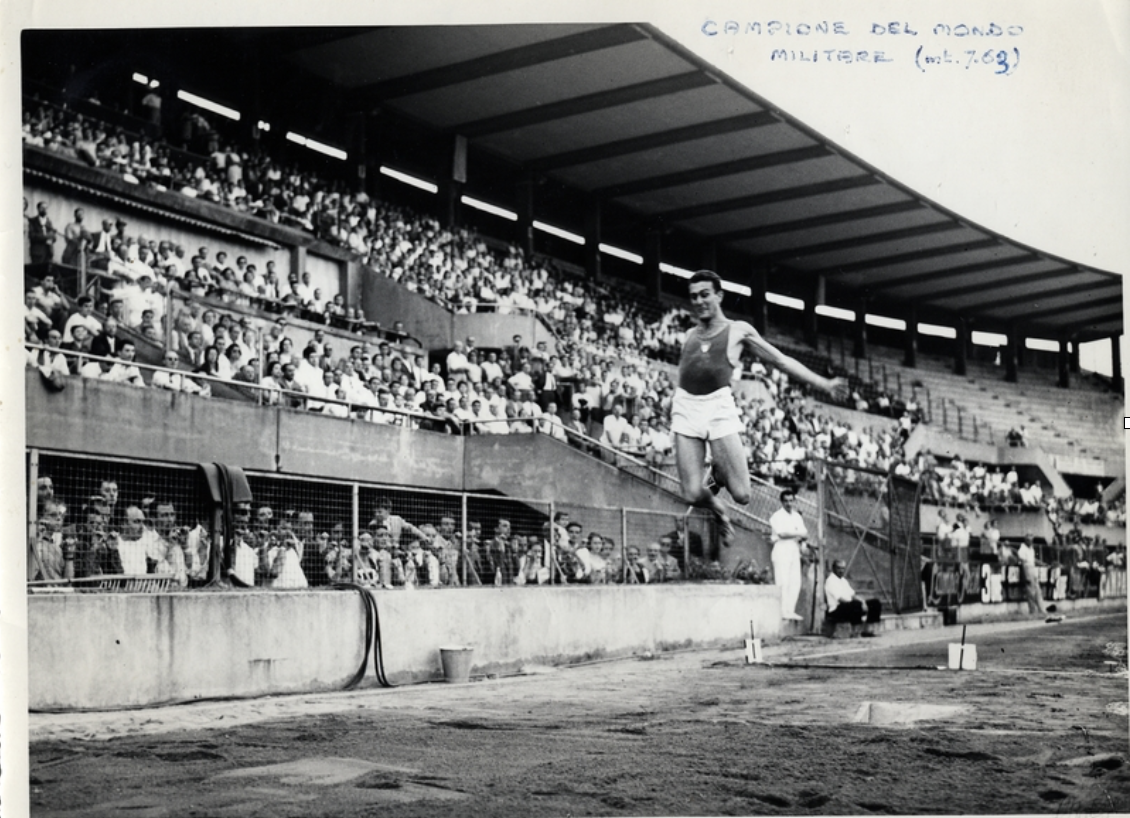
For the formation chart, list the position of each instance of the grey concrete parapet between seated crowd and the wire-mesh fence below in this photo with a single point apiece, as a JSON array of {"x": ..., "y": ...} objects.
[{"x": 95, "y": 417}]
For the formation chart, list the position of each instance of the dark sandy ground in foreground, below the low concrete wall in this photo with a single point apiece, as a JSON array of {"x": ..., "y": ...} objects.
[{"x": 825, "y": 727}]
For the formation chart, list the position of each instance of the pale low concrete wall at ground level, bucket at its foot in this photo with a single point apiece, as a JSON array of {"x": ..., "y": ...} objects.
[{"x": 123, "y": 650}]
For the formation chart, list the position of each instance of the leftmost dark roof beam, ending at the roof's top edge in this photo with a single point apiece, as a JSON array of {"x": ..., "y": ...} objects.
[{"x": 503, "y": 62}]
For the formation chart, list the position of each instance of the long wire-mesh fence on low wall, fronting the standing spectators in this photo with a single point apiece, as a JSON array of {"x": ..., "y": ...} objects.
[{"x": 119, "y": 518}]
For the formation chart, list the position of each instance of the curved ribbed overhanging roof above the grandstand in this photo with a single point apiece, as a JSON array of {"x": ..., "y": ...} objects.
[{"x": 630, "y": 117}]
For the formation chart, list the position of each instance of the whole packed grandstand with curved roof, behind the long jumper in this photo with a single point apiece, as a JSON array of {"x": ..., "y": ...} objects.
[{"x": 390, "y": 309}]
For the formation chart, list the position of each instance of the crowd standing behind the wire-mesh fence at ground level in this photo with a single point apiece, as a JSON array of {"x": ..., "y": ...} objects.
[{"x": 292, "y": 547}]
